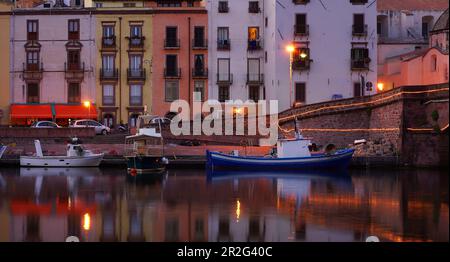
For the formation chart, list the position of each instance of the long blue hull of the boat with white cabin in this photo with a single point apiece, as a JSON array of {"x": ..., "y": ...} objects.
[{"x": 340, "y": 160}]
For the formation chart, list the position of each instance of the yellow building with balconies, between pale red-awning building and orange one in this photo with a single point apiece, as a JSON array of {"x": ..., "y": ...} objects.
[{"x": 124, "y": 57}]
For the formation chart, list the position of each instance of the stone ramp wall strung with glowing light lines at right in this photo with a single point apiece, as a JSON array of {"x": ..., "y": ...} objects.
[{"x": 389, "y": 122}]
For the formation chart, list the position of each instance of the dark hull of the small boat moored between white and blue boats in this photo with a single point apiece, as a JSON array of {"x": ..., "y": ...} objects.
[{"x": 145, "y": 164}]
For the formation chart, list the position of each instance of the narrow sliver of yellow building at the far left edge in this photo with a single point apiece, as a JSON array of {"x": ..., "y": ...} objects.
[{"x": 5, "y": 8}]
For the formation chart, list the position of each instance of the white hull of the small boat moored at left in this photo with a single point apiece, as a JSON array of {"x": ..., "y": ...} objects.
[{"x": 61, "y": 161}]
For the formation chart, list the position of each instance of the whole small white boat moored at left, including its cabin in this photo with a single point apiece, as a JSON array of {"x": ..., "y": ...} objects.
[{"x": 76, "y": 156}]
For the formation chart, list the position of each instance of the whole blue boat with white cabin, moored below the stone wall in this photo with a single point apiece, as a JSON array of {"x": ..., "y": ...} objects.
[{"x": 292, "y": 154}]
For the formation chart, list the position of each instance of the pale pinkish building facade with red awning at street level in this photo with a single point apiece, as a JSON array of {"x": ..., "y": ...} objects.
[{"x": 52, "y": 71}]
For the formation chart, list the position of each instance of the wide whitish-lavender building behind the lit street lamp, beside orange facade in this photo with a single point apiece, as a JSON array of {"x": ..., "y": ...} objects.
[{"x": 334, "y": 57}]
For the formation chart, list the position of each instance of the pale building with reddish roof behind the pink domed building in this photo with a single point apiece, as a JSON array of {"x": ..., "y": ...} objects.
[{"x": 404, "y": 26}]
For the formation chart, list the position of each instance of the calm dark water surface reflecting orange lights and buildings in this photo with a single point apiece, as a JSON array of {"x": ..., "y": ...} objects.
[{"x": 187, "y": 205}]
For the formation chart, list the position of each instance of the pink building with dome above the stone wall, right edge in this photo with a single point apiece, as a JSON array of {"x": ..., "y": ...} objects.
[{"x": 421, "y": 67}]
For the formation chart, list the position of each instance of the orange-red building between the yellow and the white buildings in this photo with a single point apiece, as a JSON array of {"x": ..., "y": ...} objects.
[{"x": 180, "y": 53}]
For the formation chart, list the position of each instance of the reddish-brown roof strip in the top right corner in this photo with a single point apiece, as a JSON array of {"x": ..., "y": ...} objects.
[{"x": 411, "y": 5}]
